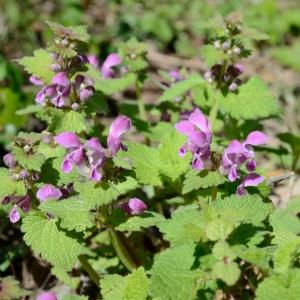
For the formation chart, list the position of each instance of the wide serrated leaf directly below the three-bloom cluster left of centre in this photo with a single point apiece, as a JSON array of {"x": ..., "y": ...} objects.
[{"x": 95, "y": 195}]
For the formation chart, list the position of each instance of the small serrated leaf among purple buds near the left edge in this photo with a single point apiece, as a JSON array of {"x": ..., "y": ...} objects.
[{"x": 29, "y": 161}]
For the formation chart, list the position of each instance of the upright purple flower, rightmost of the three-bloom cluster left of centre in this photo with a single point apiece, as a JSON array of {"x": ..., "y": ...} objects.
[{"x": 117, "y": 128}]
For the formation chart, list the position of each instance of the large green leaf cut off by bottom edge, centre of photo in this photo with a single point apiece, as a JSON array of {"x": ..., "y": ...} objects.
[{"x": 172, "y": 269}]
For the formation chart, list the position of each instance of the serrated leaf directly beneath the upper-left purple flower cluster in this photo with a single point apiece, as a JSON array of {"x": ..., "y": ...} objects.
[{"x": 67, "y": 121}]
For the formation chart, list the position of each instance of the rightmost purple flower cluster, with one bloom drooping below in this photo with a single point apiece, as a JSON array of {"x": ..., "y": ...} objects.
[{"x": 238, "y": 154}]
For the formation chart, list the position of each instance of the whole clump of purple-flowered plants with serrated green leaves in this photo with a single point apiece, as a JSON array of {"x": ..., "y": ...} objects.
[{"x": 159, "y": 201}]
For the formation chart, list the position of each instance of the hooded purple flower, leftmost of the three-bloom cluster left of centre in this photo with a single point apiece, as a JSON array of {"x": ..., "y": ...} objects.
[{"x": 71, "y": 142}]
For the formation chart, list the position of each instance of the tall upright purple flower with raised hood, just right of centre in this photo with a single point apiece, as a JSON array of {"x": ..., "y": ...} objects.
[{"x": 197, "y": 129}]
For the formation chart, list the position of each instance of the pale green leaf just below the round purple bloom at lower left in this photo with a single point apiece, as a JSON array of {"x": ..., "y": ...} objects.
[{"x": 72, "y": 212}]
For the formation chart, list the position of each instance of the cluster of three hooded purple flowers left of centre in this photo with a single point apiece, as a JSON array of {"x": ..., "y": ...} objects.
[{"x": 89, "y": 157}]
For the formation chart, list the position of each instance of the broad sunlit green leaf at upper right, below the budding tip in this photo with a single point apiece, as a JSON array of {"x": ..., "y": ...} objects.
[{"x": 252, "y": 101}]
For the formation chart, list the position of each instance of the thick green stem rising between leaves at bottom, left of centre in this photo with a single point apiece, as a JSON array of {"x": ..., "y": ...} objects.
[{"x": 123, "y": 249}]
